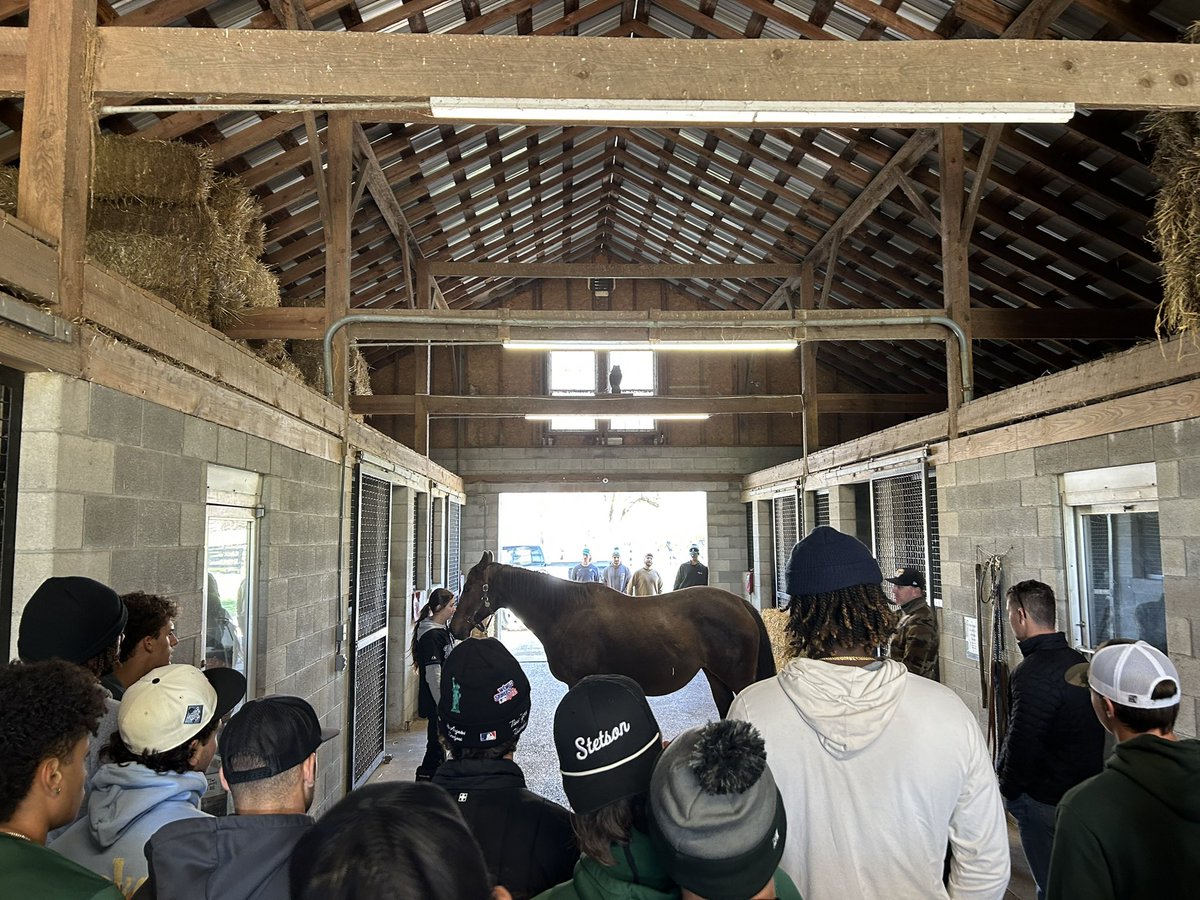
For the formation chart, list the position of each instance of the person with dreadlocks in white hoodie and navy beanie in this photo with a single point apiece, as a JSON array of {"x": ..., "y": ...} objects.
[{"x": 879, "y": 769}]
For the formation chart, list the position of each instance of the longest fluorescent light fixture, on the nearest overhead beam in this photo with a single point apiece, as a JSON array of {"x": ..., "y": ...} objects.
[{"x": 683, "y": 112}]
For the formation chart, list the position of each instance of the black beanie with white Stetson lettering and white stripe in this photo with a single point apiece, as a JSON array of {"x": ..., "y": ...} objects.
[{"x": 608, "y": 742}]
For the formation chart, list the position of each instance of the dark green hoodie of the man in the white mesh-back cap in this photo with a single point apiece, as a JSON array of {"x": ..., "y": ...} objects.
[{"x": 1133, "y": 832}]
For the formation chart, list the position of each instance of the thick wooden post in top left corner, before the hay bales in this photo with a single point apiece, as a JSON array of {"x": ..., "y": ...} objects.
[{"x": 57, "y": 136}]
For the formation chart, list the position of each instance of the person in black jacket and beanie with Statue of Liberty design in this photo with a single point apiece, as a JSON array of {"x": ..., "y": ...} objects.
[{"x": 527, "y": 842}]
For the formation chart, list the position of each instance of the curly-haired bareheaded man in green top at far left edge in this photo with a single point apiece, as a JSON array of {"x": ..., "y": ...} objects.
[{"x": 47, "y": 713}]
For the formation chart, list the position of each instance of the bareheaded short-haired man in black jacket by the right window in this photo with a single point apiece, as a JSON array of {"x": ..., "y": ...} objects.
[{"x": 1054, "y": 741}]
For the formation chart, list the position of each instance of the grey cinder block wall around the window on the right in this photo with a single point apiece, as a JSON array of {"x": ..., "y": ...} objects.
[{"x": 1010, "y": 505}]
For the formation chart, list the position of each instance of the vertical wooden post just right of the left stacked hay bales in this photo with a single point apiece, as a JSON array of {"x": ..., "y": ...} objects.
[{"x": 339, "y": 153}]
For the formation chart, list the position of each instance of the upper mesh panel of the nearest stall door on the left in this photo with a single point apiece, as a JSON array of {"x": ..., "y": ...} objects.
[{"x": 370, "y": 545}]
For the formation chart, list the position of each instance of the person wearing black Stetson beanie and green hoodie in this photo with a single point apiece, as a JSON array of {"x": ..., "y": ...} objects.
[{"x": 608, "y": 742}]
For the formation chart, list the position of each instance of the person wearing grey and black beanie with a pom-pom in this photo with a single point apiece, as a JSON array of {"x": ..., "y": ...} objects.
[{"x": 717, "y": 819}]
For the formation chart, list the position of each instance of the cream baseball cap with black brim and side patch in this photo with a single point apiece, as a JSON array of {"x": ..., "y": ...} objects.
[{"x": 171, "y": 705}]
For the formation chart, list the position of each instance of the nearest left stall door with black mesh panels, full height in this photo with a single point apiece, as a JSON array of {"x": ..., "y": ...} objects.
[{"x": 370, "y": 543}]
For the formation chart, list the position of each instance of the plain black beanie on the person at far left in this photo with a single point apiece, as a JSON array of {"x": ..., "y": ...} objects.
[{"x": 73, "y": 619}]
